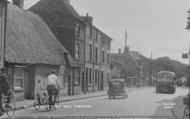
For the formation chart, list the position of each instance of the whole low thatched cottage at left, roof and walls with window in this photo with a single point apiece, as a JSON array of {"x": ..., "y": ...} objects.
[{"x": 31, "y": 51}]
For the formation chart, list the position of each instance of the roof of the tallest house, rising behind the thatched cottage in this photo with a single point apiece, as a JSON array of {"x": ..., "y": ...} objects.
[{"x": 54, "y": 9}]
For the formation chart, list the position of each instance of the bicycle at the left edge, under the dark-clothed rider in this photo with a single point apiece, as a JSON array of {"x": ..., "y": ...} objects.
[{"x": 9, "y": 110}]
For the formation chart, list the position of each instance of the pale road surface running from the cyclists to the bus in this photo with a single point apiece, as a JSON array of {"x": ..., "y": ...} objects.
[{"x": 143, "y": 102}]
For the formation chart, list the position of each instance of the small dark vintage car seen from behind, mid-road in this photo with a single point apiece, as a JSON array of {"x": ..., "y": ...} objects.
[{"x": 117, "y": 87}]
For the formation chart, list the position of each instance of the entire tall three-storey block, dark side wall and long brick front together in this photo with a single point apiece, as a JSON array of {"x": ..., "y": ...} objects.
[{"x": 89, "y": 47}]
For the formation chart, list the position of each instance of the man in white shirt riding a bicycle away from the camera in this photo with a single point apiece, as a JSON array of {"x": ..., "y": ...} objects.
[{"x": 53, "y": 87}]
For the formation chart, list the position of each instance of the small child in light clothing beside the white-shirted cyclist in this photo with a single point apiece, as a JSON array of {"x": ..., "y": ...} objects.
[{"x": 39, "y": 92}]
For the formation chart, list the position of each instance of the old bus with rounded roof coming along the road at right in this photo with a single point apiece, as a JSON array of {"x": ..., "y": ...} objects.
[{"x": 166, "y": 82}]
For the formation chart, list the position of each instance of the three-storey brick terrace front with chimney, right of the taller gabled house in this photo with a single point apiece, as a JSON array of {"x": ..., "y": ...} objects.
[{"x": 97, "y": 57}]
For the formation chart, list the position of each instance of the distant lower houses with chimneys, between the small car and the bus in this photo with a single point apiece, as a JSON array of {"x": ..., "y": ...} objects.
[{"x": 129, "y": 64}]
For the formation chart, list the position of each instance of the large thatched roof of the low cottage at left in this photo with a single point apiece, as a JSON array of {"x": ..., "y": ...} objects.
[{"x": 29, "y": 40}]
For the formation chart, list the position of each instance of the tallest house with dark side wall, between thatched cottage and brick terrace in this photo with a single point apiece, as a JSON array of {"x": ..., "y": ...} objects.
[{"x": 69, "y": 29}]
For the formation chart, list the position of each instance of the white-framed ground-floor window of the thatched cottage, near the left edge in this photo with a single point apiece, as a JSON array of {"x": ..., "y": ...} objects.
[{"x": 18, "y": 78}]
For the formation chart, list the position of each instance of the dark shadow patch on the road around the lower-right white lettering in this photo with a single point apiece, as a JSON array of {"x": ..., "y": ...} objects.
[{"x": 170, "y": 108}]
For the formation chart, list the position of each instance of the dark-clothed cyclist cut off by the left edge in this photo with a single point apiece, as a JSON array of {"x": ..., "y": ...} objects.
[{"x": 4, "y": 88}]
